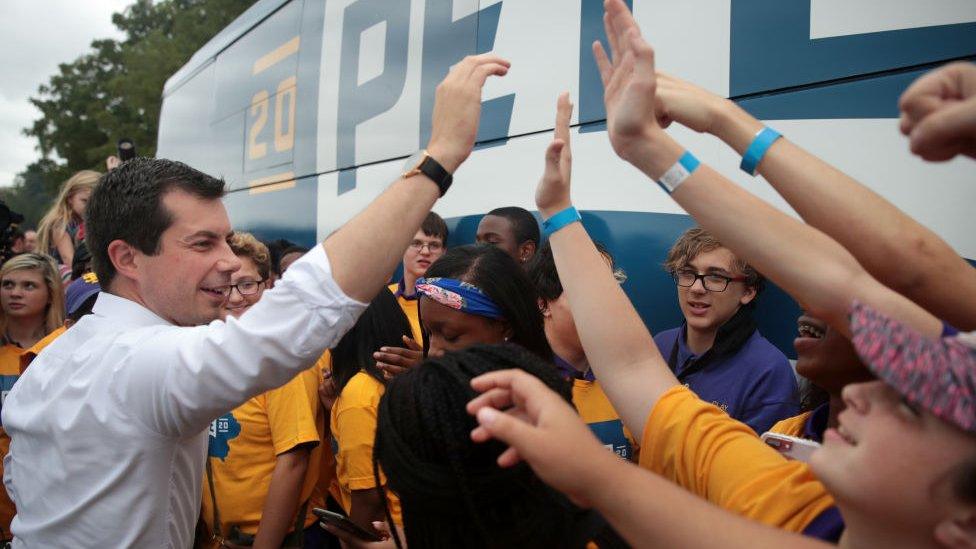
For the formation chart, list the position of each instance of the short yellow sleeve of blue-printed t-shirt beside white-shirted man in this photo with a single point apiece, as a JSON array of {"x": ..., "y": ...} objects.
[{"x": 291, "y": 414}]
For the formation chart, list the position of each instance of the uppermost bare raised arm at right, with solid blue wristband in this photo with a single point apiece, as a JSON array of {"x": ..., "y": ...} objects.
[{"x": 897, "y": 250}]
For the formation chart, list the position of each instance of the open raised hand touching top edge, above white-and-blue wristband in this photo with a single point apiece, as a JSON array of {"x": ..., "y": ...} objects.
[{"x": 629, "y": 83}]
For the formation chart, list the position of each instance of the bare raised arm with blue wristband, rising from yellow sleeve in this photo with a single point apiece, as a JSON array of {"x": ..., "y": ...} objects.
[{"x": 624, "y": 345}]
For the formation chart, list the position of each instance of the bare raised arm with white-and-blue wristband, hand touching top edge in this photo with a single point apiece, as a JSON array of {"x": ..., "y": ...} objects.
[{"x": 813, "y": 268}]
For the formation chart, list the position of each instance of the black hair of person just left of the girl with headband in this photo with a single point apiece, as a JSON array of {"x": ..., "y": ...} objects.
[{"x": 382, "y": 324}]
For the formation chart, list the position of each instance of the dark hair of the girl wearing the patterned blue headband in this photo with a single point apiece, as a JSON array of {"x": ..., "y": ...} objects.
[{"x": 505, "y": 283}]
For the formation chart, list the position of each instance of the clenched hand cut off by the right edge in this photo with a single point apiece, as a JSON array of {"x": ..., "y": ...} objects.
[{"x": 938, "y": 113}]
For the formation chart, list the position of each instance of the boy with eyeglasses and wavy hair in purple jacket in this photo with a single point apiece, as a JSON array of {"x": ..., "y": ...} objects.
[{"x": 718, "y": 352}]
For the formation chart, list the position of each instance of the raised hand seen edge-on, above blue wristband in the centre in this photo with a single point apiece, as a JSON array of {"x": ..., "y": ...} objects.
[{"x": 552, "y": 194}]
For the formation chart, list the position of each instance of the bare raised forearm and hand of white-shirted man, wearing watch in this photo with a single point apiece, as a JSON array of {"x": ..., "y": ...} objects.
[{"x": 366, "y": 250}]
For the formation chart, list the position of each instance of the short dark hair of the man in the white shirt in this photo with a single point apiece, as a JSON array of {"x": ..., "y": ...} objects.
[{"x": 127, "y": 205}]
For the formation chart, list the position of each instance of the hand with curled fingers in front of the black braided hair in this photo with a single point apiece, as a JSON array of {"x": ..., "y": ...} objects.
[{"x": 540, "y": 428}]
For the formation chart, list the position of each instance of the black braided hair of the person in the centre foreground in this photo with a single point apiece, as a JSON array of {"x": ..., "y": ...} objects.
[{"x": 452, "y": 491}]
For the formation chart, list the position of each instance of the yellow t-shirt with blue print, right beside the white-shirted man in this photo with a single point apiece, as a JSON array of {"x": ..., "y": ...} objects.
[{"x": 245, "y": 443}]
